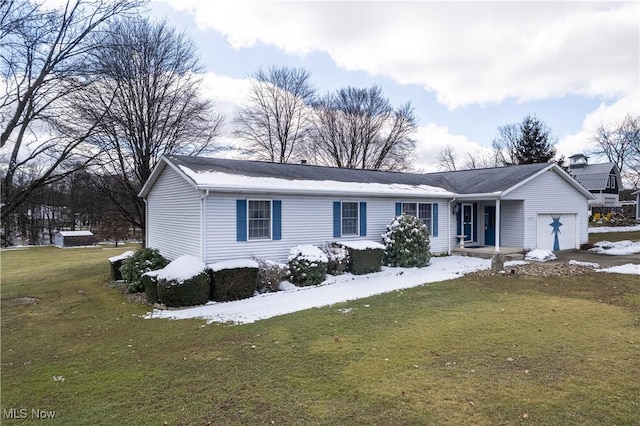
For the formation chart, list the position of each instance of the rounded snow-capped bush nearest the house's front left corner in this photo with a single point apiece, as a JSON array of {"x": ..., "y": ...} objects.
[{"x": 184, "y": 282}]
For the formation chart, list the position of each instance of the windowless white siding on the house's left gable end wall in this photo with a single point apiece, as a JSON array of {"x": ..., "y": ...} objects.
[{"x": 173, "y": 216}]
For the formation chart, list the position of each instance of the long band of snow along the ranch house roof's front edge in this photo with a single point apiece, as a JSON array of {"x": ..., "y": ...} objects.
[{"x": 221, "y": 180}]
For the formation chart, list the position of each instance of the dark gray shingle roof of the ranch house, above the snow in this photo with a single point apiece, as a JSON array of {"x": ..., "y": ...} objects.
[{"x": 478, "y": 181}]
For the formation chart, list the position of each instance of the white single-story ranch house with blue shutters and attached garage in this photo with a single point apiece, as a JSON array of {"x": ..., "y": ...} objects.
[{"x": 220, "y": 209}]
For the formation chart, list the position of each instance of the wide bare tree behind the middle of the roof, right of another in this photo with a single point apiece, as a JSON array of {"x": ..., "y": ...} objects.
[{"x": 358, "y": 128}]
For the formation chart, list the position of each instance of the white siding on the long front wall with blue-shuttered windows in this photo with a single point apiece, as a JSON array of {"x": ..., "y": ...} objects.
[{"x": 305, "y": 220}]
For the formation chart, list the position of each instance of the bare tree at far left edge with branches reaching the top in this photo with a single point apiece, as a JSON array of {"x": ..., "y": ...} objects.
[{"x": 42, "y": 64}]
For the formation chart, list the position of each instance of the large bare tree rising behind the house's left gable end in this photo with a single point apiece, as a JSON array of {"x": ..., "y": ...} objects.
[{"x": 149, "y": 84}]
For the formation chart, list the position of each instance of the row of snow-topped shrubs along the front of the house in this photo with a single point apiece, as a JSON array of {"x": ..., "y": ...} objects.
[{"x": 187, "y": 281}]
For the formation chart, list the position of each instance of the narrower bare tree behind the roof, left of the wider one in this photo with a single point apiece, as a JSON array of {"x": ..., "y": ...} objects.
[{"x": 276, "y": 120}]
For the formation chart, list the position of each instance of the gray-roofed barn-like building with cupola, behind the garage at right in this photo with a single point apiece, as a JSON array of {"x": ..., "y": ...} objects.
[{"x": 602, "y": 180}]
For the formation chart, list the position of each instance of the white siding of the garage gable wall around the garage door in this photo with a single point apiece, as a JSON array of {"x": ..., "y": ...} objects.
[{"x": 549, "y": 193}]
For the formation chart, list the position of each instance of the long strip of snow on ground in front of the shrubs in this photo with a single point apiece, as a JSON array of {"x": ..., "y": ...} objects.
[{"x": 334, "y": 290}]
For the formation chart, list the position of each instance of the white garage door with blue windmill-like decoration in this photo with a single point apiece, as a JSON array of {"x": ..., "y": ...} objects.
[{"x": 557, "y": 231}]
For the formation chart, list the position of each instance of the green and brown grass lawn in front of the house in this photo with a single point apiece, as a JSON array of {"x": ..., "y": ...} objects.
[{"x": 477, "y": 351}]
